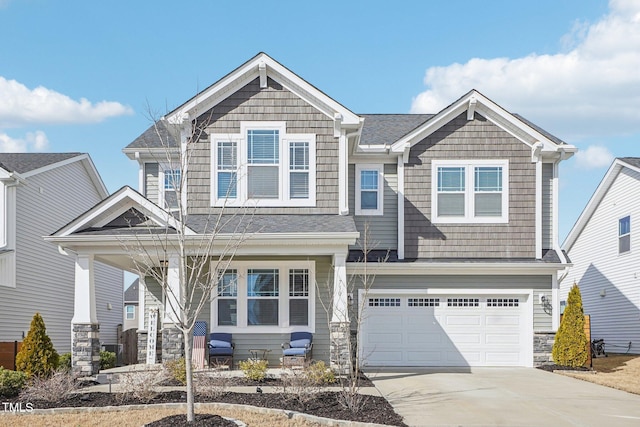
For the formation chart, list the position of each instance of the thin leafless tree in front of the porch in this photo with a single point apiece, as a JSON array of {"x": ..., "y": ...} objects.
[{"x": 188, "y": 254}]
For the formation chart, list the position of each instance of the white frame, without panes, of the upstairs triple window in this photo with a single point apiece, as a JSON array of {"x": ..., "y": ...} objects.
[{"x": 242, "y": 198}]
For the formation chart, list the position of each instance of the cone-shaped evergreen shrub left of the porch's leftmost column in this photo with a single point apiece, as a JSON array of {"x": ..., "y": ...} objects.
[{"x": 37, "y": 356}]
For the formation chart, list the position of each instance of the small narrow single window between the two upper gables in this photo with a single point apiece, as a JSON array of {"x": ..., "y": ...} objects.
[{"x": 369, "y": 189}]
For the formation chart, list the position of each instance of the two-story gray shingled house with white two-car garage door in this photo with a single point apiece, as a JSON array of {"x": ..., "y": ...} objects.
[{"x": 462, "y": 205}]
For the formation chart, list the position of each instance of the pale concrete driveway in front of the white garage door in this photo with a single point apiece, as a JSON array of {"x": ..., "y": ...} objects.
[{"x": 502, "y": 397}]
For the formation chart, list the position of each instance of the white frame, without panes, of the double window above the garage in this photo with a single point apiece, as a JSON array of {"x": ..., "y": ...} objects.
[{"x": 469, "y": 192}]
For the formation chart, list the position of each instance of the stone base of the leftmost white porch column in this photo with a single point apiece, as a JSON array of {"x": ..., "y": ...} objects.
[{"x": 85, "y": 349}]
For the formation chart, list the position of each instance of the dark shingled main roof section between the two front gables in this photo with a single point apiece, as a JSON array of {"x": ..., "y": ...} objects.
[{"x": 380, "y": 129}]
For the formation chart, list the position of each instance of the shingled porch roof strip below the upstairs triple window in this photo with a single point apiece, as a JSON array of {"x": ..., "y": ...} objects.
[{"x": 274, "y": 223}]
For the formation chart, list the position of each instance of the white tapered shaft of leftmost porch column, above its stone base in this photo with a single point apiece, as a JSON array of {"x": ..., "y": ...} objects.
[{"x": 84, "y": 305}]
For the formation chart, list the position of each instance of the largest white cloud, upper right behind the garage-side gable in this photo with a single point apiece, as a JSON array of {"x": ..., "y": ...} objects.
[{"x": 593, "y": 88}]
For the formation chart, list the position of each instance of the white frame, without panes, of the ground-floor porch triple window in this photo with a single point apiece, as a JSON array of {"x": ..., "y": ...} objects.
[{"x": 283, "y": 326}]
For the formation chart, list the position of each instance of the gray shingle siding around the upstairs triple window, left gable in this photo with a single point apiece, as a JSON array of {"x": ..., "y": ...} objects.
[{"x": 274, "y": 103}]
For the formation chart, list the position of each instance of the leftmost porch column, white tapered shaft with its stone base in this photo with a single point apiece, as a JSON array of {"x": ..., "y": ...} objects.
[{"x": 85, "y": 330}]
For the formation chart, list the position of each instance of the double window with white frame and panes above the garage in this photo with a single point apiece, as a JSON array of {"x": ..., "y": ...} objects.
[{"x": 474, "y": 191}]
